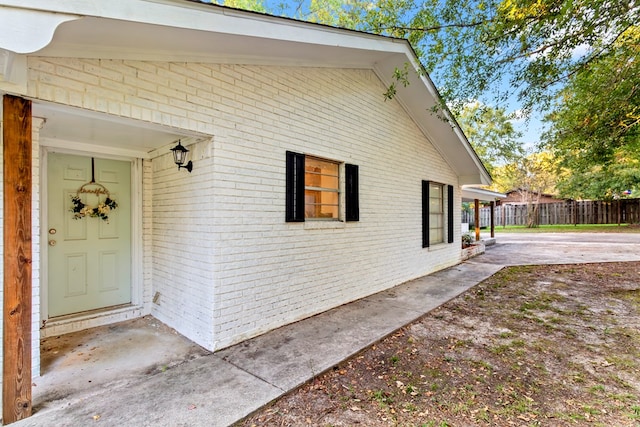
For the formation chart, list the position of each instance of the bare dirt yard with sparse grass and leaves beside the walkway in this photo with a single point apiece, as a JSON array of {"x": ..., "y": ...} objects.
[{"x": 531, "y": 346}]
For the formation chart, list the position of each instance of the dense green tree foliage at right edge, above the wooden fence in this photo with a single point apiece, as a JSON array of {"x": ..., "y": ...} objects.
[{"x": 595, "y": 126}]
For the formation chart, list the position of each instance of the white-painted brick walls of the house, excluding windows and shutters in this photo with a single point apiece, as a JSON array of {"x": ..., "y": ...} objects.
[{"x": 225, "y": 264}]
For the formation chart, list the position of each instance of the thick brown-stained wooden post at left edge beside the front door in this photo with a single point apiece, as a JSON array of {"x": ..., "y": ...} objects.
[{"x": 16, "y": 372}]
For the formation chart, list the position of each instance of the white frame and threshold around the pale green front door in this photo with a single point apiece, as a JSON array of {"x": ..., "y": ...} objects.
[{"x": 75, "y": 322}]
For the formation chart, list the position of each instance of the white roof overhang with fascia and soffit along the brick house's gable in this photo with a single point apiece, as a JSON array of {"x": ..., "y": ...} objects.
[{"x": 182, "y": 30}]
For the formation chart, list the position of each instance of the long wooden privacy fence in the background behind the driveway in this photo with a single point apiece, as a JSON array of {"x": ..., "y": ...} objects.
[{"x": 624, "y": 211}]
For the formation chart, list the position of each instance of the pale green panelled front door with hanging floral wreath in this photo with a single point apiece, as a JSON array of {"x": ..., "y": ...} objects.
[{"x": 89, "y": 252}]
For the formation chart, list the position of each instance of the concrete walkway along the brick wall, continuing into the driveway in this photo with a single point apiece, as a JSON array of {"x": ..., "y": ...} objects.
[{"x": 221, "y": 388}]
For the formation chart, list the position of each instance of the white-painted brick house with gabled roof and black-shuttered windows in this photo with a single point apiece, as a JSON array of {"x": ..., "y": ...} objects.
[{"x": 308, "y": 189}]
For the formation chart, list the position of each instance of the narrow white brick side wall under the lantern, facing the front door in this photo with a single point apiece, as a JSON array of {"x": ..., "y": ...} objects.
[{"x": 183, "y": 239}]
